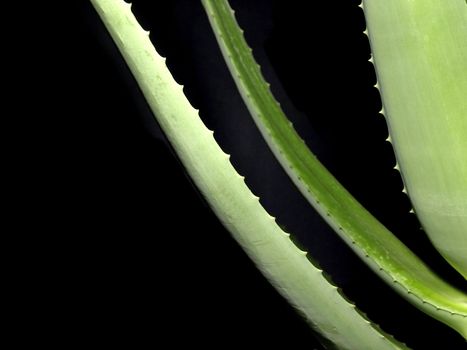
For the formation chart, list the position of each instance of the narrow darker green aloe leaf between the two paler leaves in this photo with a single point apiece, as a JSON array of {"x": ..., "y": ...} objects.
[{"x": 376, "y": 245}]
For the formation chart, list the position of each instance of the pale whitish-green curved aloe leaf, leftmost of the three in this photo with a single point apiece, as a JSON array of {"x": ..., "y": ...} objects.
[{"x": 286, "y": 266}]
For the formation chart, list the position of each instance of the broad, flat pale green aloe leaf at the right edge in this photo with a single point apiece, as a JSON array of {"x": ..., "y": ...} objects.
[{"x": 420, "y": 53}]
